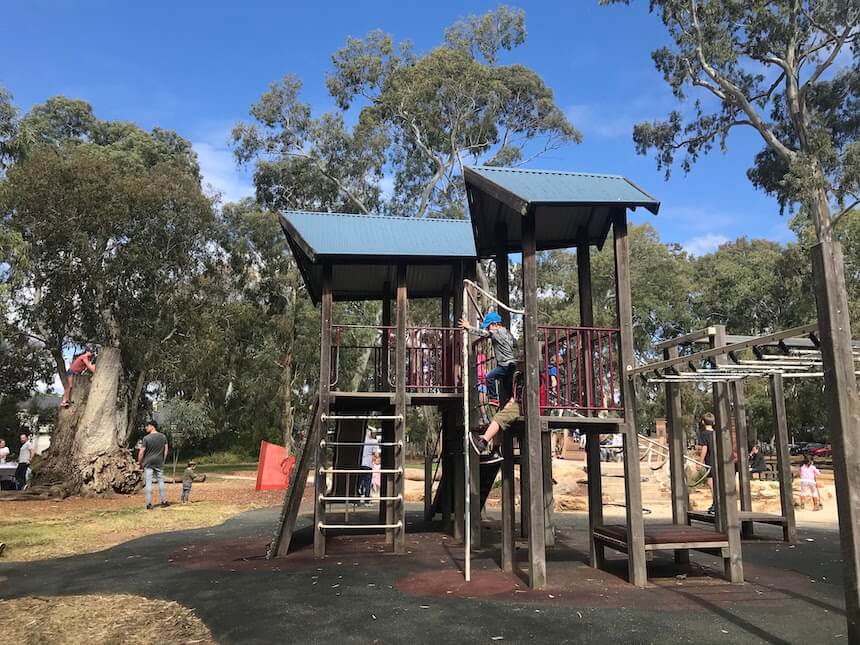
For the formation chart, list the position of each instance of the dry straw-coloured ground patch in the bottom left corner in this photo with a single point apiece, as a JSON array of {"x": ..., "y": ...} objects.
[{"x": 109, "y": 619}]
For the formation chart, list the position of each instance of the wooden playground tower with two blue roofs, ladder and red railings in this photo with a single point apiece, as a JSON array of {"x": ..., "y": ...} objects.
[{"x": 351, "y": 258}]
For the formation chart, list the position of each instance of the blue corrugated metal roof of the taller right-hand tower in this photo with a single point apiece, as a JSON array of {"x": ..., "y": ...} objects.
[{"x": 556, "y": 187}]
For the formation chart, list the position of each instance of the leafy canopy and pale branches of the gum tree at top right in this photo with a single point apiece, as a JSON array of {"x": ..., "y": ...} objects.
[{"x": 771, "y": 67}]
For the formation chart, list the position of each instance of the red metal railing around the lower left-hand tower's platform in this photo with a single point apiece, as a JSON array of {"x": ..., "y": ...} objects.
[{"x": 363, "y": 358}]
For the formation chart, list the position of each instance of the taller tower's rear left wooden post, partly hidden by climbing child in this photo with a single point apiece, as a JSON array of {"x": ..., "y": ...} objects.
[{"x": 508, "y": 510}]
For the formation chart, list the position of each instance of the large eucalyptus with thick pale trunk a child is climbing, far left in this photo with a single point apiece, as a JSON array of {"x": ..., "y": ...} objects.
[{"x": 115, "y": 224}]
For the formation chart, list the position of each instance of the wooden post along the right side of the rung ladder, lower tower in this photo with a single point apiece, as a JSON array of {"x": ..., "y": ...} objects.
[{"x": 400, "y": 411}]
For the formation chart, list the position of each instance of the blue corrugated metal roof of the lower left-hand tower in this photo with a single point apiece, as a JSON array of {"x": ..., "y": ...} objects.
[{"x": 340, "y": 234}]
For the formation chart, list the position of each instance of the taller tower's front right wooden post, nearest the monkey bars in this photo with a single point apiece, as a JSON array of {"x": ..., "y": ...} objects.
[{"x": 636, "y": 564}]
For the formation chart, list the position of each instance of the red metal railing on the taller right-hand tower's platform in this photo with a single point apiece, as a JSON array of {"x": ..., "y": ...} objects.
[{"x": 580, "y": 368}]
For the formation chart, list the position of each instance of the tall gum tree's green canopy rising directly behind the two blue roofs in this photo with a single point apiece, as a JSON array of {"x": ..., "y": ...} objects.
[{"x": 421, "y": 117}]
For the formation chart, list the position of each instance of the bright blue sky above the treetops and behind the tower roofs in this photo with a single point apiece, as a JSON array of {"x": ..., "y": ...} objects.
[{"x": 196, "y": 67}]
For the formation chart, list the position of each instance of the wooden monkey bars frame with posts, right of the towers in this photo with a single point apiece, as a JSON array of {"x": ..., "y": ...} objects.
[{"x": 725, "y": 365}]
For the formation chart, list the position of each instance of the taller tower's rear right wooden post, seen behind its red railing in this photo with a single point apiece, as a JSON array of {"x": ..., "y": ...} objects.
[{"x": 592, "y": 441}]
